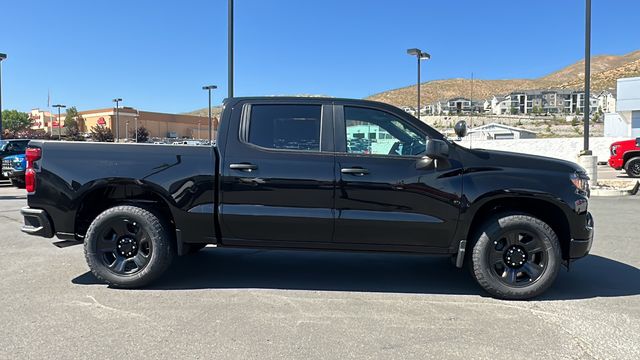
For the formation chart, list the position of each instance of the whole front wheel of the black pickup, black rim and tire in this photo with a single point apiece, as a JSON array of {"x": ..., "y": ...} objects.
[{"x": 516, "y": 257}]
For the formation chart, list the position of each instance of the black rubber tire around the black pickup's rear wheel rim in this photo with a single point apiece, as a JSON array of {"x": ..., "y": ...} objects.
[{"x": 159, "y": 241}]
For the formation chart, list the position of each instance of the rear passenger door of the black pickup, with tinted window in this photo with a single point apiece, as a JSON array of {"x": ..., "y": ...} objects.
[{"x": 277, "y": 174}]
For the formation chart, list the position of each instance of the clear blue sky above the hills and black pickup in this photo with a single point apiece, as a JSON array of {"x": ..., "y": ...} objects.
[{"x": 156, "y": 55}]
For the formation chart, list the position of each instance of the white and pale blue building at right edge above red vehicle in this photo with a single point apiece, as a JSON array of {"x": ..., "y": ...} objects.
[{"x": 626, "y": 121}]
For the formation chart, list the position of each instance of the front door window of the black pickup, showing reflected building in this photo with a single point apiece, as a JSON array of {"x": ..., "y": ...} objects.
[{"x": 375, "y": 132}]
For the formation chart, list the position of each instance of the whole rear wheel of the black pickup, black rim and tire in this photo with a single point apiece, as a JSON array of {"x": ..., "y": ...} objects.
[{"x": 128, "y": 246}]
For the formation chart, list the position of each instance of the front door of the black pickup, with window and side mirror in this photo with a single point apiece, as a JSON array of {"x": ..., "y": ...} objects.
[{"x": 382, "y": 197}]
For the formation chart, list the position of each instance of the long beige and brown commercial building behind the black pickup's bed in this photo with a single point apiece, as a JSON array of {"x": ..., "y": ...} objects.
[{"x": 159, "y": 125}]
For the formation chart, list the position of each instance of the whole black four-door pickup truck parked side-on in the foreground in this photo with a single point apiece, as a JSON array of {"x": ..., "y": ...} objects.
[{"x": 312, "y": 173}]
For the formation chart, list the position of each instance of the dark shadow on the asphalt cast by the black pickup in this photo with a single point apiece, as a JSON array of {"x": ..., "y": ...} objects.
[{"x": 593, "y": 276}]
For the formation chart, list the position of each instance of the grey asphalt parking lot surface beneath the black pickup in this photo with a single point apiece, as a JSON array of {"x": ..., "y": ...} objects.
[{"x": 254, "y": 304}]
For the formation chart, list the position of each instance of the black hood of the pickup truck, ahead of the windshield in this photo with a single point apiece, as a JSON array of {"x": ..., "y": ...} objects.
[{"x": 524, "y": 161}]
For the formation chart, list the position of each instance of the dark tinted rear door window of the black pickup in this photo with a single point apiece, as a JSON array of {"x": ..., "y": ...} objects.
[{"x": 287, "y": 127}]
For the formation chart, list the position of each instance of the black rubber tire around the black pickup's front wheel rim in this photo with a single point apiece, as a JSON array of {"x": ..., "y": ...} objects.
[{"x": 494, "y": 231}]
